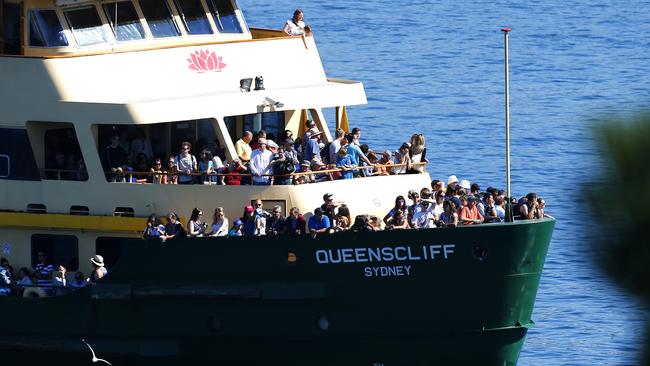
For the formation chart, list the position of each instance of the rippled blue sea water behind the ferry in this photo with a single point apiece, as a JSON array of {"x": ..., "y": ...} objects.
[{"x": 436, "y": 67}]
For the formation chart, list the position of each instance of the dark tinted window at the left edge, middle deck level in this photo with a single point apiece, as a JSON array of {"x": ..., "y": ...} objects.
[{"x": 17, "y": 160}]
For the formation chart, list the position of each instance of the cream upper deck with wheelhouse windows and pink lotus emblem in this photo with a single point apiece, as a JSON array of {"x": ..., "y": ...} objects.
[{"x": 152, "y": 68}]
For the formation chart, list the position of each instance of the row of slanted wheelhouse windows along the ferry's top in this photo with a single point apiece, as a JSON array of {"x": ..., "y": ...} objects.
[{"x": 125, "y": 19}]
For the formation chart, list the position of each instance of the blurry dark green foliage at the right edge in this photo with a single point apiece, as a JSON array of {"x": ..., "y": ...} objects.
[{"x": 620, "y": 205}]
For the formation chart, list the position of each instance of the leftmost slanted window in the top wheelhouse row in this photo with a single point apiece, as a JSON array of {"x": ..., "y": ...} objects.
[{"x": 45, "y": 30}]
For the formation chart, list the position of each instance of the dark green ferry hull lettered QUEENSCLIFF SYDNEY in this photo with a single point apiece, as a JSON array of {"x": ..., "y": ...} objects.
[{"x": 446, "y": 296}]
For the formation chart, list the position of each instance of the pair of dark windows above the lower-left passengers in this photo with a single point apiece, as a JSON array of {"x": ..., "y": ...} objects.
[{"x": 64, "y": 250}]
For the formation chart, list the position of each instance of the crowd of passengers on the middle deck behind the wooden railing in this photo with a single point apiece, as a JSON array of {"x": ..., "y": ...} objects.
[{"x": 262, "y": 161}]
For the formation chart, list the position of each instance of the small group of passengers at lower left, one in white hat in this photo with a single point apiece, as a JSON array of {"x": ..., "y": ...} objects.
[{"x": 43, "y": 280}]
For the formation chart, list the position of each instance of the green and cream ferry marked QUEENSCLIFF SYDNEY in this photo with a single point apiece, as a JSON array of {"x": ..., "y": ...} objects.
[{"x": 74, "y": 73}]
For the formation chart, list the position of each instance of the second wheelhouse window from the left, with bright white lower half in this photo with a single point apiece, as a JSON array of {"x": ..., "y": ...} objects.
[{"x": 86, "y": 26}]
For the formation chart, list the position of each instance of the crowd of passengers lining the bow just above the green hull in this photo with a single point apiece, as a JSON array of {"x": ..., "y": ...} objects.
[{"x": 459, "y": 203}]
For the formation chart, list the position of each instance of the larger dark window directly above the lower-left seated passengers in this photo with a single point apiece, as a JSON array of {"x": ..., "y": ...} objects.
[{"x": 59, "y": 249}]
